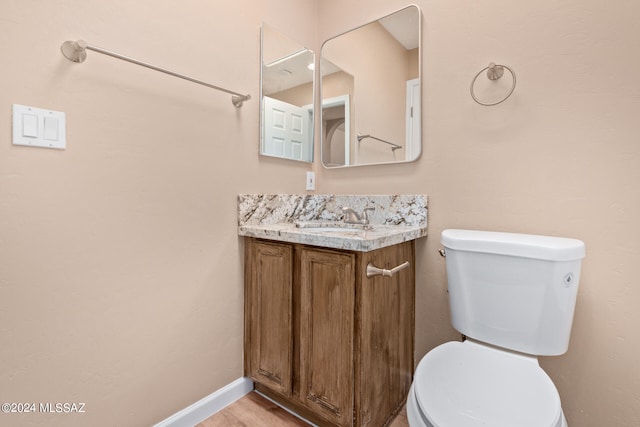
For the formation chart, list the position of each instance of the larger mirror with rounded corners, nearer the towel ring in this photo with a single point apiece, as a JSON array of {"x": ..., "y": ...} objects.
[{"x": 371, "y": 92}]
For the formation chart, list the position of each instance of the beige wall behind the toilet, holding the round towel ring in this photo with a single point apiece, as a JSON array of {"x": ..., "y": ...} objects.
[{"x": 560, "y": 157}]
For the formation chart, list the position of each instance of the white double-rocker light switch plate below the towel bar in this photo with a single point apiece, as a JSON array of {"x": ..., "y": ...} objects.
[{"x": 36, "y": 127}]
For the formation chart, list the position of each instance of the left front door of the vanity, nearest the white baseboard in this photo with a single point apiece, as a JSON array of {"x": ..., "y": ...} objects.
[{"x": 268, "y": 314}]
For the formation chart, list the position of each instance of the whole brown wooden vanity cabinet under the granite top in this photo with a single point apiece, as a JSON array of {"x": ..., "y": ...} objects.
[{"x": 324, "y": 339}]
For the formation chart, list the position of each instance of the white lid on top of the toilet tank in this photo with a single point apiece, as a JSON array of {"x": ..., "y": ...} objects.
[{"x": 524, "y": 245}]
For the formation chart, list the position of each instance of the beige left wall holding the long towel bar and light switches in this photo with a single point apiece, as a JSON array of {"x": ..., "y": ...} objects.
[{"x": 120, "y": 266}]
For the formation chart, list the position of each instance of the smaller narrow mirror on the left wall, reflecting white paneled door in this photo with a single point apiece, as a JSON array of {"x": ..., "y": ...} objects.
[{"x": 286, "y": 97}]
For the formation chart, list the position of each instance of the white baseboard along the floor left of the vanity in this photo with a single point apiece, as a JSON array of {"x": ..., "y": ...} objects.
[{"x": 209, "y": 405}]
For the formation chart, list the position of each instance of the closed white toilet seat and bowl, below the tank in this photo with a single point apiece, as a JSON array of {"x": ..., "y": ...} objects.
[{"x": 468, "y": 384}]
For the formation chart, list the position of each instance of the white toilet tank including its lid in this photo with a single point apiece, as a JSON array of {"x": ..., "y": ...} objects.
[{"x": 516, "y": 291}]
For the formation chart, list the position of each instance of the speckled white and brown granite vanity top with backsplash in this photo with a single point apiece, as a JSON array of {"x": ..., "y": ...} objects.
[{"x": 304, "y": 219}]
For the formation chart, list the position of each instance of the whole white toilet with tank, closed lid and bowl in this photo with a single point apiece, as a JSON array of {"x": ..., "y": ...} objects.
[{"x": 513, "y": 297}]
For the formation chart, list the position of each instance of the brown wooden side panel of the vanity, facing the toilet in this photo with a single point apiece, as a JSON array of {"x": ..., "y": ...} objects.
[{"x": 384, "y": 355}]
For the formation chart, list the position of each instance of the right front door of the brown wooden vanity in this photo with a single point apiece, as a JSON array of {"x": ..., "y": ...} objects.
[{"x": 327, "y": 285}]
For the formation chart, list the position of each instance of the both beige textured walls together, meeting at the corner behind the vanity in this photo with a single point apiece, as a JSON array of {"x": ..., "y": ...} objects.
[{"x": 120, "y": 268}]
